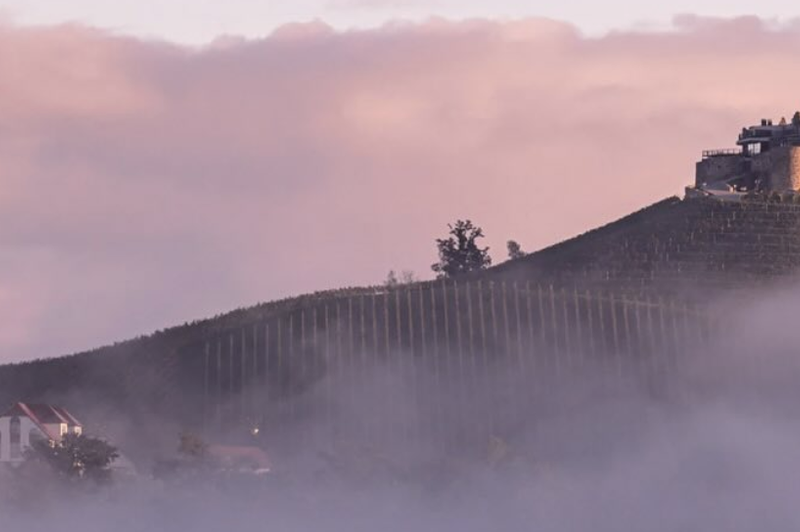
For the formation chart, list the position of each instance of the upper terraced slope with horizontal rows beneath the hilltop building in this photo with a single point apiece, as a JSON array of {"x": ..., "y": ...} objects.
[{"x": 690, "y": 248}]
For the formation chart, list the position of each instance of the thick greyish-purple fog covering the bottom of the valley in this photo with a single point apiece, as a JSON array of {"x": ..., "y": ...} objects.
[{"x": 720, "y": 451}]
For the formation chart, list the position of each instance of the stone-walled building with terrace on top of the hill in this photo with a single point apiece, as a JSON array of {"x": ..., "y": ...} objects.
[{"x": 767, "y": 159}]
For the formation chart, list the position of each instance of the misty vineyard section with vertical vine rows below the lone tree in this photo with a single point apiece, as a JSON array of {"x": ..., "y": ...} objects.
[{"x": 438, "y": 361}]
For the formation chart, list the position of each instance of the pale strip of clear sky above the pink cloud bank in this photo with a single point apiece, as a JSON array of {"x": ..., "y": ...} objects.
[{"x": 201, "y": 21}]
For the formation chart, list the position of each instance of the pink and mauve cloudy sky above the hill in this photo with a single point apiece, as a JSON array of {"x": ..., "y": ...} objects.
[{"x": 146, "y": 181}]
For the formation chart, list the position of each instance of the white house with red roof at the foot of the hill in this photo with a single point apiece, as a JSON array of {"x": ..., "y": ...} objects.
[{"x": 23, "y": 423}]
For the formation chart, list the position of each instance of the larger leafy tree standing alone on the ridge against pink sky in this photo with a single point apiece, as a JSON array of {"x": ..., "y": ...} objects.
[{"x": 459, "y": 253}]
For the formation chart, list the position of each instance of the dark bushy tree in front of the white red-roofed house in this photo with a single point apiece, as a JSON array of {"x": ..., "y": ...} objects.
[{"x": 76, "y": 456}]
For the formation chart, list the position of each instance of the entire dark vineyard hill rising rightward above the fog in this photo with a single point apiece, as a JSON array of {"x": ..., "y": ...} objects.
[{"x": 445, "y": 360}]
